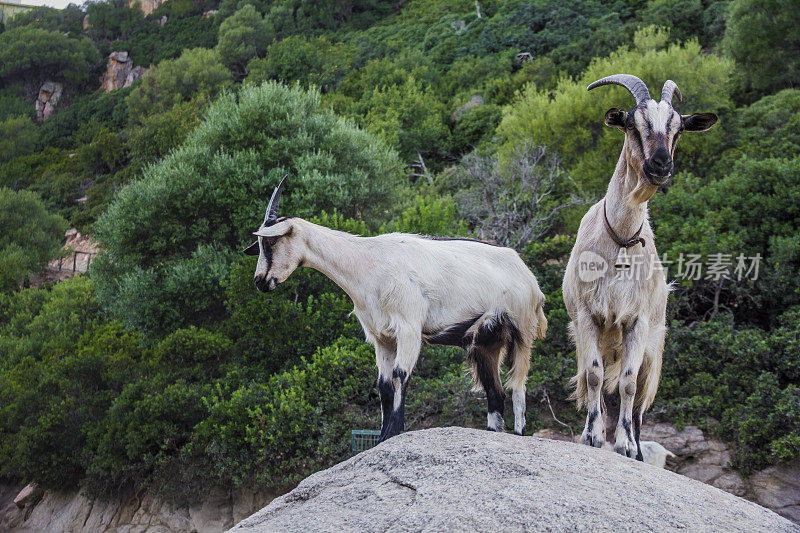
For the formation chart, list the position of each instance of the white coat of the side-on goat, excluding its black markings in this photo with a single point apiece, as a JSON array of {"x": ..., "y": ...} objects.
[{"x": 404, "y": 286}]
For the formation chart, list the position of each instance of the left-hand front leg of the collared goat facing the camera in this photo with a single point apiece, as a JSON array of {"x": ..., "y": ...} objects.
[{"x": 587, "y": 344}]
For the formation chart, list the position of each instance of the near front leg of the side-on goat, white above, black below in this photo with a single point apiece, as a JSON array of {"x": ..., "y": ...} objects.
[{"x": 409, "y": 343}]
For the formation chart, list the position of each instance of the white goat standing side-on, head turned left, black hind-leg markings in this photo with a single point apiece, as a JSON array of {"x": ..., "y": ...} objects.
[{"x": 408, "y": 289}]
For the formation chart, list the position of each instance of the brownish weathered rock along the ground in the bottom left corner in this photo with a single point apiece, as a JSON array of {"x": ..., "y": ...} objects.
[{"x": 76, "y": 512}]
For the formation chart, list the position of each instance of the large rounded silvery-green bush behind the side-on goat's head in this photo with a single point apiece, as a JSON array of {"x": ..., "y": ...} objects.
[{"x": 176, "y": 228}]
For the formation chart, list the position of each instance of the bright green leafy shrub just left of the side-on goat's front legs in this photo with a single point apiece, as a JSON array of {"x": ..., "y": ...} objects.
[{"x": 275, "y": 433}]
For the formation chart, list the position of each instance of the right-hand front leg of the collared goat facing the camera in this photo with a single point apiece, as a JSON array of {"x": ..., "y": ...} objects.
[{"x": 634, "y": 341}]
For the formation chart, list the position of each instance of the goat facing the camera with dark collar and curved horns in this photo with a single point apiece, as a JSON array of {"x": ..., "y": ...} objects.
[{"x": 618, "y": 312}]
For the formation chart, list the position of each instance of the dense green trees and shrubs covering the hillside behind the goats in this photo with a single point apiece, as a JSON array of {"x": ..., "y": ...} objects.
[{"x": 164, "y": 368}]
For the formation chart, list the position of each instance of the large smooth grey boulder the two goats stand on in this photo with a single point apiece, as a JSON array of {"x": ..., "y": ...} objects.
[{"x": 457, "y": 479}]
